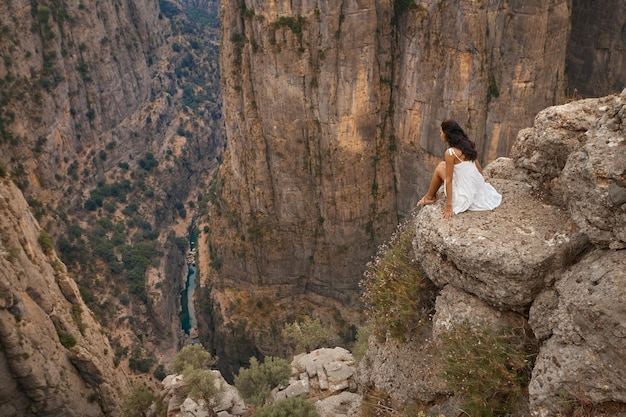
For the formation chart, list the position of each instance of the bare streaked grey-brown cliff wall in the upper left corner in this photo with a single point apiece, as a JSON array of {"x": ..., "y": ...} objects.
[{"x": 66, "y": 79}]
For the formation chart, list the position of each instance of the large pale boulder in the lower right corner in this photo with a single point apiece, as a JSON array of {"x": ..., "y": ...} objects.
[{"x": 584, "y": 324}]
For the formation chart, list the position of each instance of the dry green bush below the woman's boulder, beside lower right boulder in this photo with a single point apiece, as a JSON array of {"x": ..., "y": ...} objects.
[{"x": 487, "y": 368}]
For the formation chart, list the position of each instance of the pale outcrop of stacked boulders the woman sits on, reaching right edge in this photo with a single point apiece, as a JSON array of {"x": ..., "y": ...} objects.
[{"x": 552, "y": 251}]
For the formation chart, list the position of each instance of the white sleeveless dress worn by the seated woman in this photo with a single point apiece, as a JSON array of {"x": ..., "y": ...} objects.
[{"x": 469, "y": 189}]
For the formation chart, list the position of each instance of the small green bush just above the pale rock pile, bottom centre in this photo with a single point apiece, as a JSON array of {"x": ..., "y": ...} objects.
[{"x": 308, "y": 335}]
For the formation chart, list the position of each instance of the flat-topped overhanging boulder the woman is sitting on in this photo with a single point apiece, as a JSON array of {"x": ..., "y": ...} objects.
[{"x": 469, "y": 251}]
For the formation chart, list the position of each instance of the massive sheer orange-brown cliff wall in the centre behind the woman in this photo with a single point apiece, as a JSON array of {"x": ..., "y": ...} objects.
[{"x": 332, "y": 113}]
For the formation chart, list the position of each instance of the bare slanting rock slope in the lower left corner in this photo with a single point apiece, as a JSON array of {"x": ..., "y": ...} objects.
[{"x": 54, "y": 361}]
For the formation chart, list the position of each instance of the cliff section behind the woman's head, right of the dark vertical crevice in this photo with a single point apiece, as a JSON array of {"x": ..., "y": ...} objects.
[{"x": 489, "y": 65}]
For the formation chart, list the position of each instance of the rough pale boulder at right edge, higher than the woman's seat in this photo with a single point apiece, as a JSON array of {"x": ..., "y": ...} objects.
[{"x": 574, "y": 154}]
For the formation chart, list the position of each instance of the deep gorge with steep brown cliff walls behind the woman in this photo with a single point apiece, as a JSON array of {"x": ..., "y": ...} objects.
[{"x": 117, "y": 130}]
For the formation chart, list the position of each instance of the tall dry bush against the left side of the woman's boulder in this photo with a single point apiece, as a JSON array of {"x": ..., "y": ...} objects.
[{"x": 395, "y": 294}]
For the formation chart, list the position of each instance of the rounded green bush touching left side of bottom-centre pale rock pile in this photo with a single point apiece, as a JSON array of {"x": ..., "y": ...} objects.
[{"x": 256, "y": 382}]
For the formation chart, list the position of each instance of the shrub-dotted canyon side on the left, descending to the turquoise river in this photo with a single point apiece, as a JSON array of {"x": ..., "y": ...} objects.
[{"x": 109, "y": 123}]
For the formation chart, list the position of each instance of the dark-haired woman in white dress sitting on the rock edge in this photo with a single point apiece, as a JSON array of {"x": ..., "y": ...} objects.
[{"x": 461, "y": 173}]
